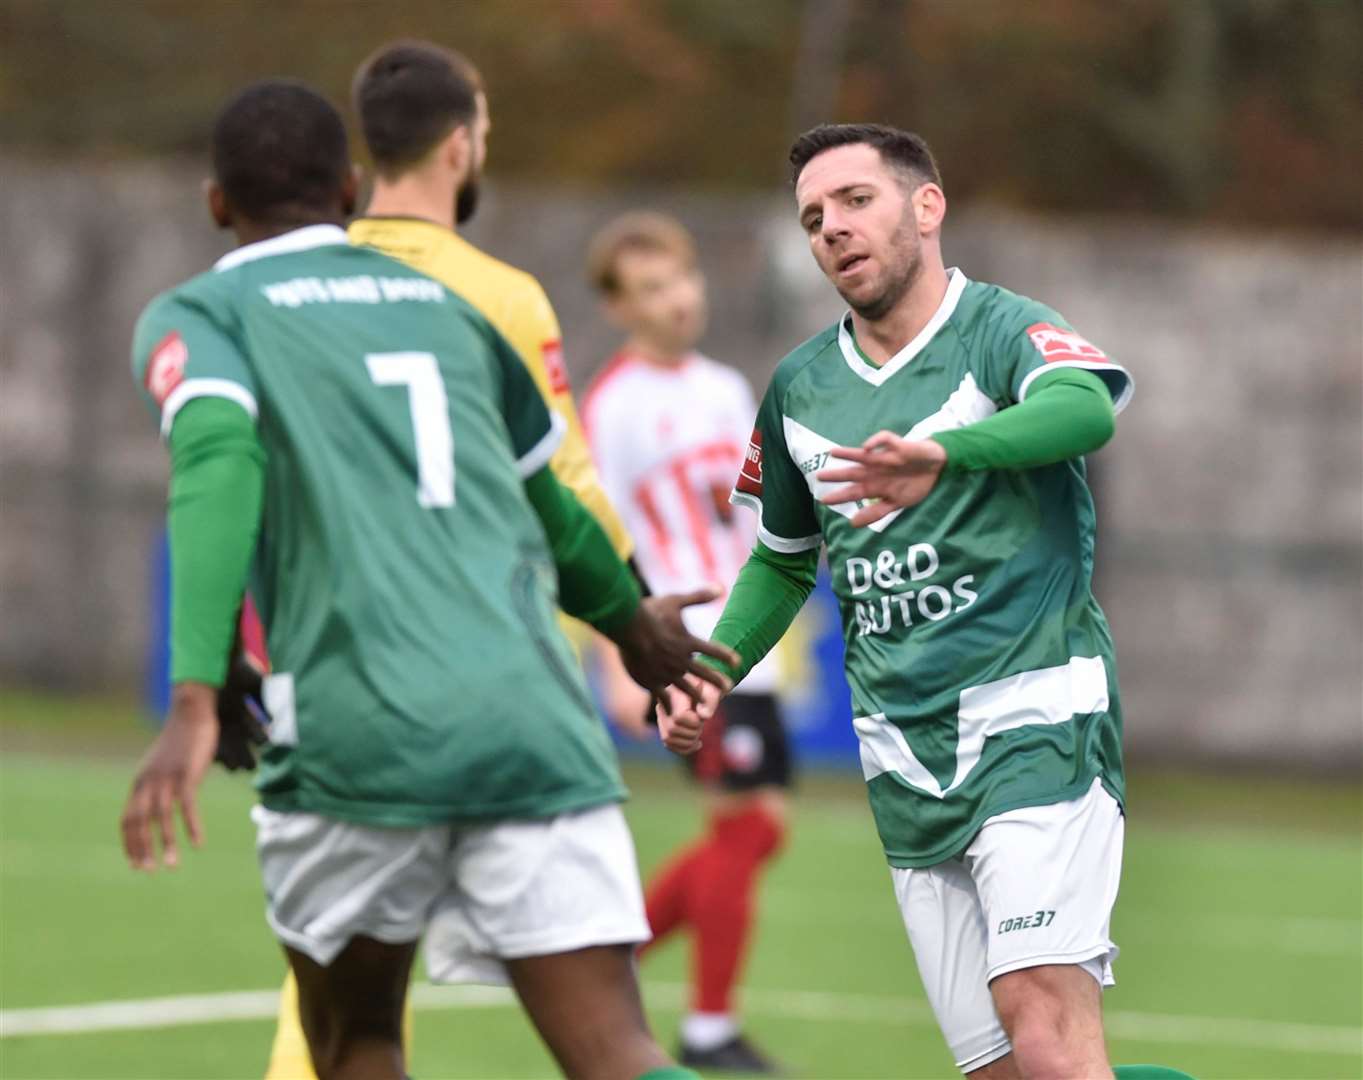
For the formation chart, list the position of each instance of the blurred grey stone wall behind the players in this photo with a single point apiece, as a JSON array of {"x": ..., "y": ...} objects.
[{"x": 1231, "y": 554}]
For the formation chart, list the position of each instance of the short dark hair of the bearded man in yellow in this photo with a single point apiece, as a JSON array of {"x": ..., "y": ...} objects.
[{"x": 410, "y": 96}]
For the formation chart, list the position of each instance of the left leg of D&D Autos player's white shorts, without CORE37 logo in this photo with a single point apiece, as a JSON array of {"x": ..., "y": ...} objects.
[{"x": 948, "y": 931}]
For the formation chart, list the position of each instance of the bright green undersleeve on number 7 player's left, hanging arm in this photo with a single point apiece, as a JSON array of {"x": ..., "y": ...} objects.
[{"x": 217, "y": 486}]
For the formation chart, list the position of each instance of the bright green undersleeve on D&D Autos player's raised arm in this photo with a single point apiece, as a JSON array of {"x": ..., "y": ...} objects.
[{"x": 1067, "y": 415}]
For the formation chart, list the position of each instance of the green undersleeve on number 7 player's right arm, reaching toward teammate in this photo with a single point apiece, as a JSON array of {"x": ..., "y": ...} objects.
[{"x": 595, "y": 586}]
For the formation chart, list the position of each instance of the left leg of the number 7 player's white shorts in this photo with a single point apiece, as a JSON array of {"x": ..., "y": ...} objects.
[{"x": 329, "y": 882}]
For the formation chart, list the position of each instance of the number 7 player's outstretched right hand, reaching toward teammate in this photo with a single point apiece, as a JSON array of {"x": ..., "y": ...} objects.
[{"x": 659, "y": 651}]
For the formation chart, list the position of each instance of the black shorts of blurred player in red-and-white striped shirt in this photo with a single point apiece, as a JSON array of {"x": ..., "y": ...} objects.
[{"x": 746, "y": 748}]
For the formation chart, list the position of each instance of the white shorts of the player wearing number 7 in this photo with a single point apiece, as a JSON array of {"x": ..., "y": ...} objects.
[{"x": 487, "y": 894}]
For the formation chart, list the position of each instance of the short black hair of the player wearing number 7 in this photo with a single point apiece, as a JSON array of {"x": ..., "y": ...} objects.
[{"x": 280, "y": 152}]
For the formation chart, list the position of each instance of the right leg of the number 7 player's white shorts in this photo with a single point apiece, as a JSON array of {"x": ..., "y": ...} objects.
[{"x": 536, "y": 888}]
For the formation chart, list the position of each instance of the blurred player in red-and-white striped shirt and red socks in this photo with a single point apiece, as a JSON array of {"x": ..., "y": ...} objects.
[{"x": 669, "y": 427}]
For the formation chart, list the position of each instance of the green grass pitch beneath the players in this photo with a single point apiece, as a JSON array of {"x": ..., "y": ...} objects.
[{"x": 1240, "y": 921}]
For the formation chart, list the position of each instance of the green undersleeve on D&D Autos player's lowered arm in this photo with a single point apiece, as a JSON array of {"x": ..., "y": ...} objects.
[{"x": 768, "y": 595}]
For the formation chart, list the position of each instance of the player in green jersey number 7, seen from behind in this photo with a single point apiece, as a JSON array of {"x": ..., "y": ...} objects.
[{"x": 366, "y": 448}]
